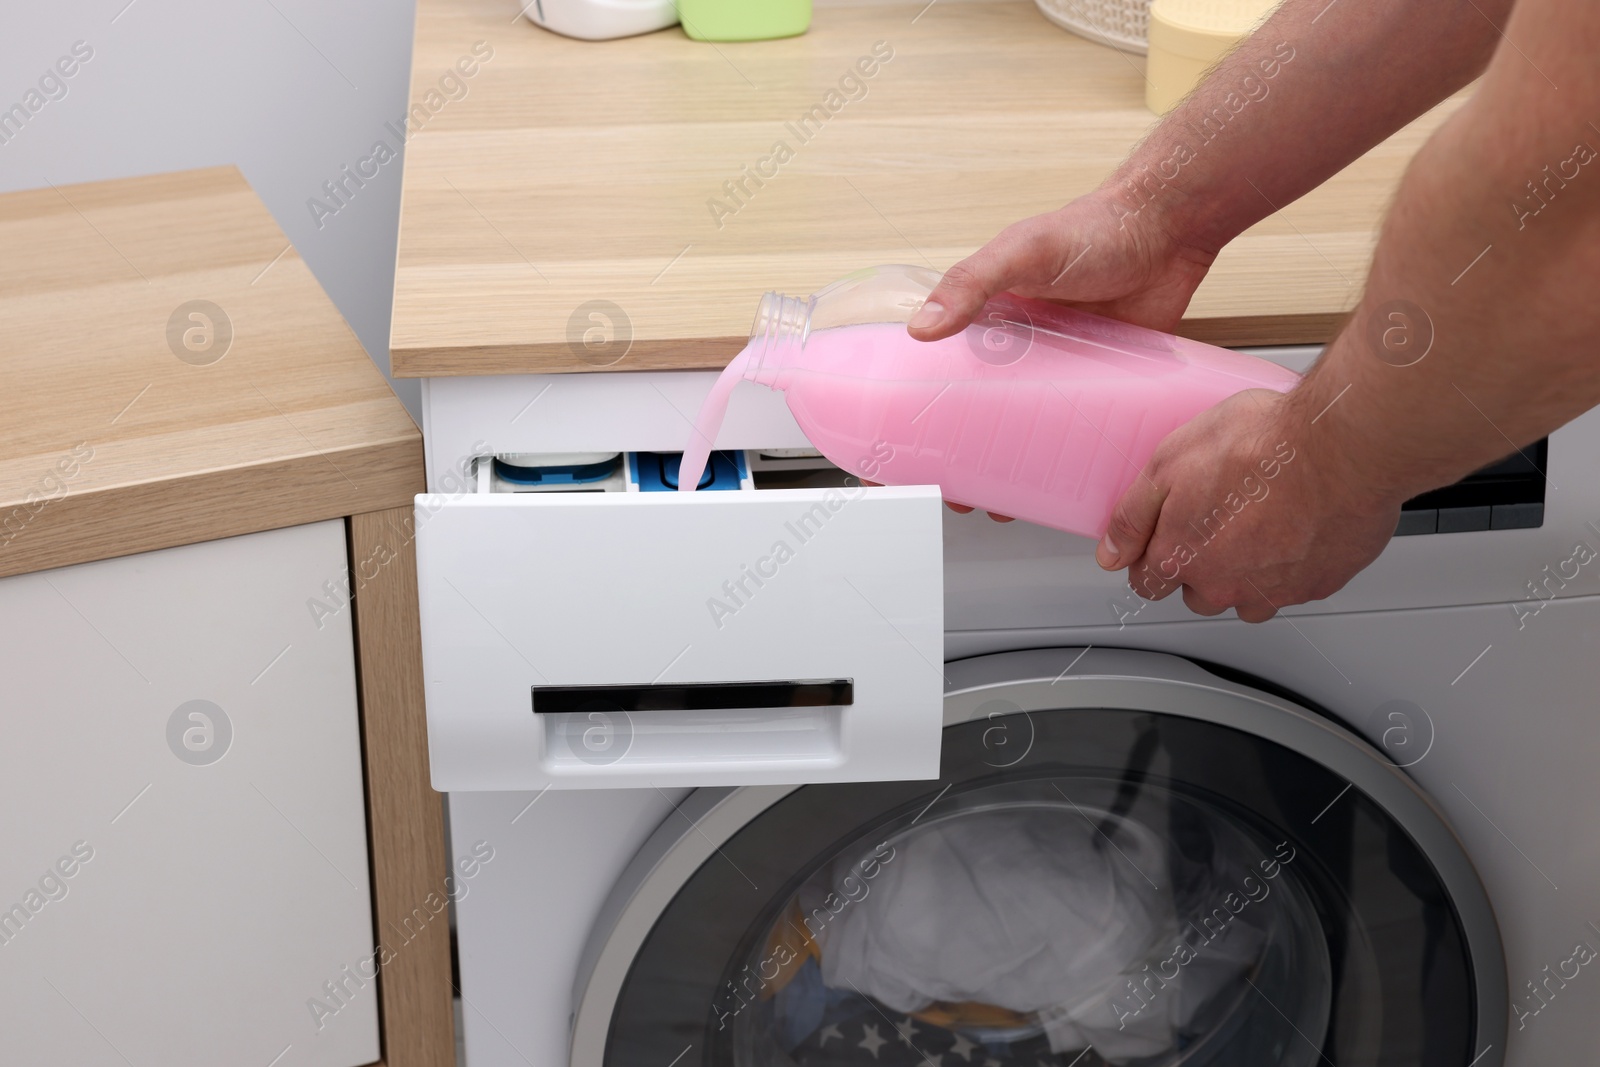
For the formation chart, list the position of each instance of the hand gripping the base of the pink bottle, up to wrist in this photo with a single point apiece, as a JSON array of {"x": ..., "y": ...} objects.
[{"x": 1238, "y": 511}]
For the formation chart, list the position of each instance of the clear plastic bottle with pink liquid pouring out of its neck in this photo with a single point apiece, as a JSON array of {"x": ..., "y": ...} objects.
[{"x": 1036, "y": 410}]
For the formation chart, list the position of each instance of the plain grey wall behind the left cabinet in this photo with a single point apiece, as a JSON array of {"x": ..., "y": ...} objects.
[{"x": 287, "y": 90}]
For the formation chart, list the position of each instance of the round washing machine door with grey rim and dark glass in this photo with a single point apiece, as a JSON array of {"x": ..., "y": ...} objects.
[{"x": 1127, "y": 860}]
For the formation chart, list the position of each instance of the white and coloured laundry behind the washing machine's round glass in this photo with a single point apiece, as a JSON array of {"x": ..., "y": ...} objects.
[{"x": 1015, "y": 930}]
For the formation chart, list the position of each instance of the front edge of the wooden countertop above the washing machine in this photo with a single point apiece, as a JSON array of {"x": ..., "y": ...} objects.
[{"x": 713, "y": 354}]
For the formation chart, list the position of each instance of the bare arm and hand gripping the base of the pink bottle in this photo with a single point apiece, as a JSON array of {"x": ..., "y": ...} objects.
[{"x": 1252, "y": 506}]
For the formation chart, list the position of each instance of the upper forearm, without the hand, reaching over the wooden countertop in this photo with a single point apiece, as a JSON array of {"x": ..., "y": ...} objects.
[{"x": 1310, "y": 92}]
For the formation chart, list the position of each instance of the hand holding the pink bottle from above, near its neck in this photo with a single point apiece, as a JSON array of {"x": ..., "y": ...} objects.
[{"x": 1094, "y": 254}]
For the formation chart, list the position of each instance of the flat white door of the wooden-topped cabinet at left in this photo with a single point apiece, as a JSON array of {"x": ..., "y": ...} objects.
[{"x": 183, "y": 857}]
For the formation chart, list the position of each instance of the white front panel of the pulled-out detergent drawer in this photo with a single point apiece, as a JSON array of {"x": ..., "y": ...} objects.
[{"x": 580, "y": 641}]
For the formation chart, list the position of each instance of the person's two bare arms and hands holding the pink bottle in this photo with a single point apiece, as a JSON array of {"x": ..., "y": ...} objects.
[{"x": 1492, "y": 246}]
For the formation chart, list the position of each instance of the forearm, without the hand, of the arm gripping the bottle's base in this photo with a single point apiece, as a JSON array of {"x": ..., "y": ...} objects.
[{"x": 1479, "y": 330}]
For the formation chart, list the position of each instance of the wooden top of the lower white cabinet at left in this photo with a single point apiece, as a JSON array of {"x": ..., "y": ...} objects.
[{"x": 113, "y": 444}]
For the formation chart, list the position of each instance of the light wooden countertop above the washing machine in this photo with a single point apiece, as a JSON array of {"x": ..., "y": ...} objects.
[{"x": 575, "y": 172}]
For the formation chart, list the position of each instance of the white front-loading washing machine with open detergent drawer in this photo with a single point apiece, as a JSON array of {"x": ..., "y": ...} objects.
[{"x": 938, "y": 791}]
